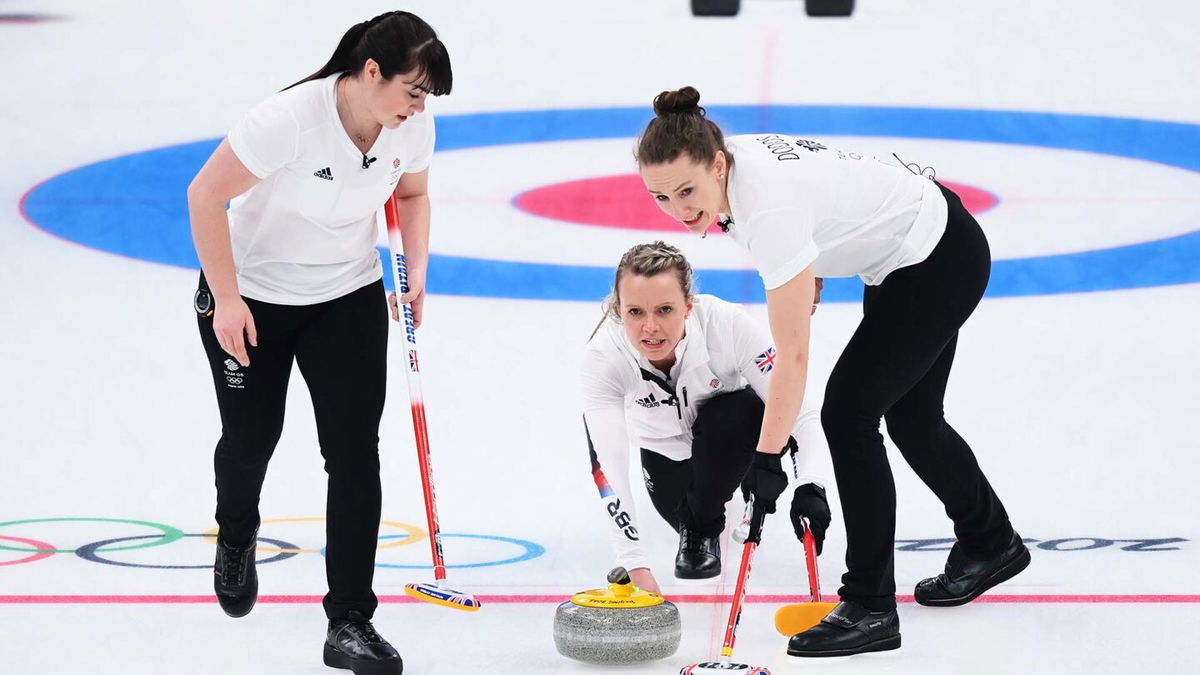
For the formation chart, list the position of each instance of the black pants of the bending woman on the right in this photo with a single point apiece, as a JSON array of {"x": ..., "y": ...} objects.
[{"x": 896, "y": 368}]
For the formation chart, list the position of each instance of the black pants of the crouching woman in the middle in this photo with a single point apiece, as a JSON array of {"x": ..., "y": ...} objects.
[{"x": 695, "y": 491}]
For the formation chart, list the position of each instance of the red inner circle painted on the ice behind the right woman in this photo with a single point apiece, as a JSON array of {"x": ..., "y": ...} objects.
[{"x": 621, "y": 201}]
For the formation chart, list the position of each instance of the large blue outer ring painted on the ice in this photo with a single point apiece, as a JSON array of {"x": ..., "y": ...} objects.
[{"x": 136, "y": 205}]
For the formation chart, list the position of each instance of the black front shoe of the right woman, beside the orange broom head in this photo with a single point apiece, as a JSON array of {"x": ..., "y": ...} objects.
[{"x": 849, "y": 630}]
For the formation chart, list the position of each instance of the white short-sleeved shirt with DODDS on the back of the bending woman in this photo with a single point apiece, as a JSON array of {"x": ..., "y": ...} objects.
[{"x": 799, "y": 204}]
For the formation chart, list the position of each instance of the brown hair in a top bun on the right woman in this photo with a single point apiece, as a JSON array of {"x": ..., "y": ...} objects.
[{"x": 681, "y": 127}]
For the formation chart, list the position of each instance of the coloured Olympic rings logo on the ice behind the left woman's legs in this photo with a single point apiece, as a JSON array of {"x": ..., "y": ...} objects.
[{"x": 280, "y": 549}]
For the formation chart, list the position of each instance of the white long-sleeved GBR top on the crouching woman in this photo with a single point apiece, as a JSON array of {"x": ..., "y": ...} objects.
[{"x": 629, "y": 404}]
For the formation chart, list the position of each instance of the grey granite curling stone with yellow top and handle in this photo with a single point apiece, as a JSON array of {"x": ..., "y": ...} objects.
[{"x": 621, "y": 624}]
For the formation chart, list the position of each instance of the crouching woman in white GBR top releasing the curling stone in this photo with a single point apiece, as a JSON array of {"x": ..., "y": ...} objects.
[{"x": 683, "y": 378}]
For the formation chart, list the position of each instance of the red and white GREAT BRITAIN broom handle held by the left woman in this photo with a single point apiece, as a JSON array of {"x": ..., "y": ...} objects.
[{"x": 400, "y": 282}]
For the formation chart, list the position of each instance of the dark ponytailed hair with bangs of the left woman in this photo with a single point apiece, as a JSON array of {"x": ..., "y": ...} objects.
[{"x": 400, "y": 43}]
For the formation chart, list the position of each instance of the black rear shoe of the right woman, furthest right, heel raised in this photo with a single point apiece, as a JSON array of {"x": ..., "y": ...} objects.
[{"x": 965, "y": 581}]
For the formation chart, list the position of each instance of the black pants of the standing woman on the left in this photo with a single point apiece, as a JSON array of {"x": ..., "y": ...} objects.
[{"x": 341, "y": 349}]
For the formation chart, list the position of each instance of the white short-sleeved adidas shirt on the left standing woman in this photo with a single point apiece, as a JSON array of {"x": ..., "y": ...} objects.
[{"x": 308, "y": 232}]
